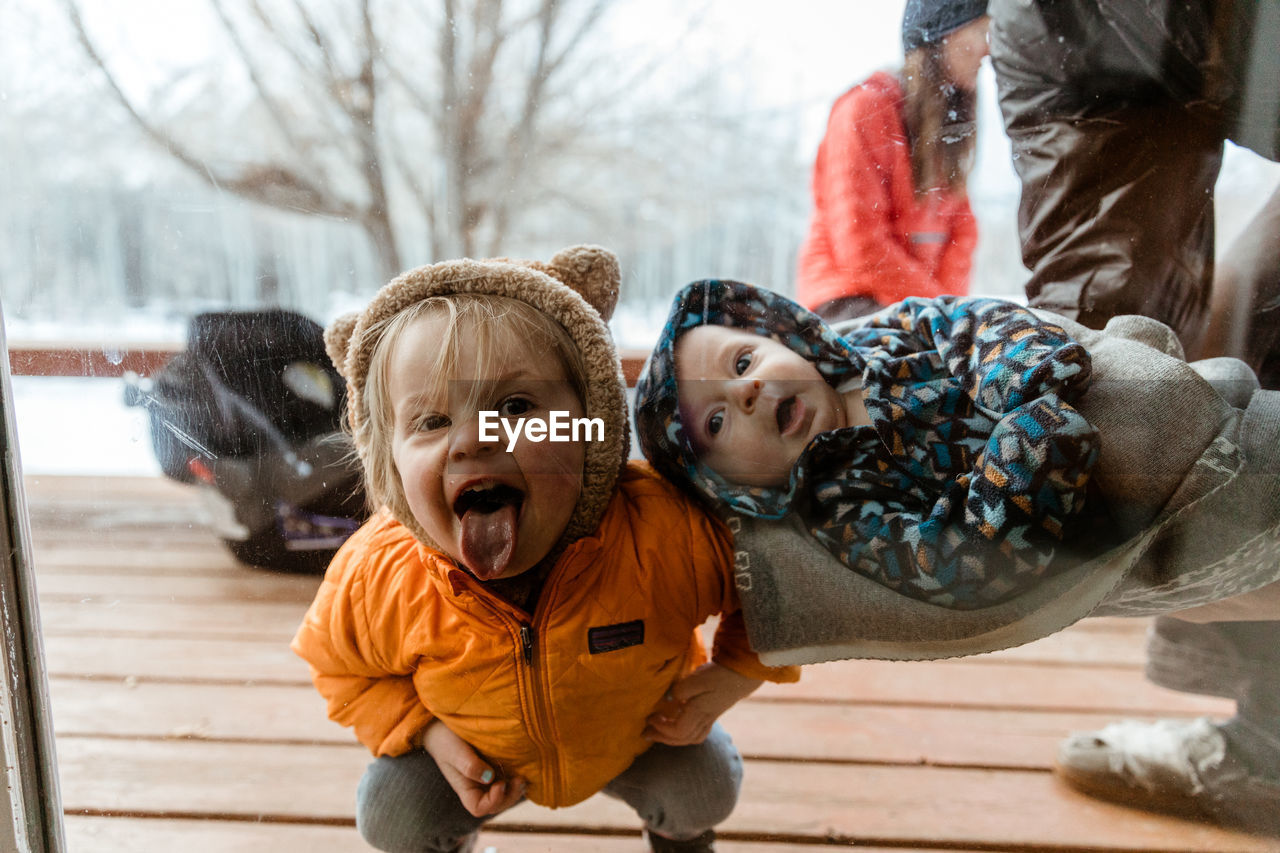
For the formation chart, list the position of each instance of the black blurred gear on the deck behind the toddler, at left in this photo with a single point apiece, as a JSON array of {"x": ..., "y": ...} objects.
[{"x": 250, "y": 414}]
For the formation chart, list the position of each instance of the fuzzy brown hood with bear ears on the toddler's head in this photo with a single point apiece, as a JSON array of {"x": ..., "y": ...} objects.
[{"x": 579, "y": 289}]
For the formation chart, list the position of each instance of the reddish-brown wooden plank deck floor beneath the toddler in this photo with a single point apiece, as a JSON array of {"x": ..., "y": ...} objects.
[{"x": 185, "y": 723}]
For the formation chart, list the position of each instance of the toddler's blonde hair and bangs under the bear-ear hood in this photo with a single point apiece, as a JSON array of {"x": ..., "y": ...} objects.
[{"x": 484, "y": 320}]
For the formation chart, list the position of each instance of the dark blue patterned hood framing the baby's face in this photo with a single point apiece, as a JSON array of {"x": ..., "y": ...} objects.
[{"x": 744, "y": 307}]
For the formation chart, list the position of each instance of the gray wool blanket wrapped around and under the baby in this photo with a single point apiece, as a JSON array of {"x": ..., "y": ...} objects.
[{"x": 1191, "y": 473}]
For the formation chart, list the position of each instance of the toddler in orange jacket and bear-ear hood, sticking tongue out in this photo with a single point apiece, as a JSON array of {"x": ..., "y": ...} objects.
[{"x": 520, "y": 621}]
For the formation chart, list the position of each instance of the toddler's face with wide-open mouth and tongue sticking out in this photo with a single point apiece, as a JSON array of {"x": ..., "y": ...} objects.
[{"x": 496, "y": 512}]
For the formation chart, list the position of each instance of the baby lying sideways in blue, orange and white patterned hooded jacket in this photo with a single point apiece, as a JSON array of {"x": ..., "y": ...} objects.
[{"x": 934, "y": 449}]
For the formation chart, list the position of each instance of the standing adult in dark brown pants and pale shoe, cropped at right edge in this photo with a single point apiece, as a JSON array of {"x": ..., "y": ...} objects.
[{"x": 1118, "y": 112}]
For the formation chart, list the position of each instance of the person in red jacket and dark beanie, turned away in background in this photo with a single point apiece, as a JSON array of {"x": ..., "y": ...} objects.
[{"x": 892, "y": 217}]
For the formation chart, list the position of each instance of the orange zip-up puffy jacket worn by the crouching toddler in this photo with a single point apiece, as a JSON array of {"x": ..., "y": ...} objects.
[{"x": 399, "y": 635}]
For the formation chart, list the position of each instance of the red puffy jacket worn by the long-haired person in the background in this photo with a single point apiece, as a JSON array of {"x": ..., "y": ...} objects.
[{"x": 870, "y": 234}]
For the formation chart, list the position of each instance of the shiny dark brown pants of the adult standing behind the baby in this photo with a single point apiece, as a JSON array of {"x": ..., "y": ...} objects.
[{"x": 1117, "y": 113}]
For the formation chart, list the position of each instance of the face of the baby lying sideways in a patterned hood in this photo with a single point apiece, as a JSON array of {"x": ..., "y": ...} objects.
[{"x": 751, "y": 405}]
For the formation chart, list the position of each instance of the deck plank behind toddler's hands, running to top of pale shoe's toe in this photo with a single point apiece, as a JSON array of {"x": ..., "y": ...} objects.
[{"x": 797, "y": 732}]
